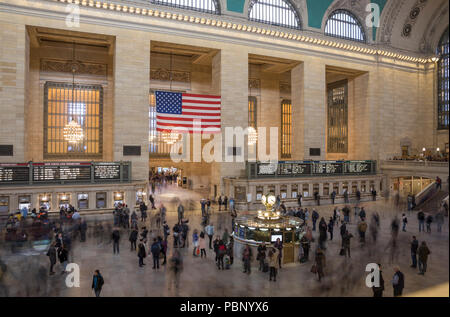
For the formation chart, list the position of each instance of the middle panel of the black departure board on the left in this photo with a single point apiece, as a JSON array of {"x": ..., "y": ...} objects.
[{"x": 56, "y": 172}]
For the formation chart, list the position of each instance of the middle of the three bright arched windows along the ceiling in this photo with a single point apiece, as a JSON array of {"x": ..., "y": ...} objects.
[{"x": 274, "y": 12}]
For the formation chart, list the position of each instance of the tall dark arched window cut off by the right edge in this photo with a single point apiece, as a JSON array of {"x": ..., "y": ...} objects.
[{"x": 443, "y": 65}]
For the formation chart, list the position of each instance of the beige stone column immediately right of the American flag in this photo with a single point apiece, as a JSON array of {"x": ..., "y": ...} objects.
[{"x": 230, "y": 81}]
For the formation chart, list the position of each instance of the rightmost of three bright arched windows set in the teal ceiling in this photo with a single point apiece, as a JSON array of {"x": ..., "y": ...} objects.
[{"x": 345, "y": 25}]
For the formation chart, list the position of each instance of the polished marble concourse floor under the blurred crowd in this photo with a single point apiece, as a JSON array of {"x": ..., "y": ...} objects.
[{"x": 27, "y": 275}]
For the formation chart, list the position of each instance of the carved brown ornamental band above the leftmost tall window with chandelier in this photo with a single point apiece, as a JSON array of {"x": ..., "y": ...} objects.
[{"x": 80, "y": 68}]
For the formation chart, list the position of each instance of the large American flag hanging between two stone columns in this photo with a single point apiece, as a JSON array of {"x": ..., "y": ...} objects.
[{"x": 181, "y": 112}]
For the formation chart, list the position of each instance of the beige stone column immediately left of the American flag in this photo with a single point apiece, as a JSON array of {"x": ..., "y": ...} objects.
[{"x": 131, "y": 99}]
